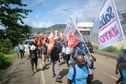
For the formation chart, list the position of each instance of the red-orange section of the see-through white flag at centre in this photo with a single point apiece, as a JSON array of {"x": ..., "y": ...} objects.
[{"x": 72, "y": 41}]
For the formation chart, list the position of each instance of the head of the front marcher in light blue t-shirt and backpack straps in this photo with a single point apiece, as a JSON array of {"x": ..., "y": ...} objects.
[{"x": 80, "y": 60}]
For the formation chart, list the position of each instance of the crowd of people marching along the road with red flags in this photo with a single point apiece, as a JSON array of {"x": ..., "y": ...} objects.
[{"x": 79, "y": 60}]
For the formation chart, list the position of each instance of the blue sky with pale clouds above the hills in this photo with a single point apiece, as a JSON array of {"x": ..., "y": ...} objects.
[{"x": 49, "y": 12}]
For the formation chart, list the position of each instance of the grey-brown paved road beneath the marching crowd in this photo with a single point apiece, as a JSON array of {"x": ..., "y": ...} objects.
[{"x": 20, "y": 73}]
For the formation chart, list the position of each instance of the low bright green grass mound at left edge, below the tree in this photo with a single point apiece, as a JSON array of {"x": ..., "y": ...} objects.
[{"x": 5, "y": 61}]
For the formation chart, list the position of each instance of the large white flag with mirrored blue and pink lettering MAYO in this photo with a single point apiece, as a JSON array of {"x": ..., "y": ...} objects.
[{"x": 110, "y": 29}]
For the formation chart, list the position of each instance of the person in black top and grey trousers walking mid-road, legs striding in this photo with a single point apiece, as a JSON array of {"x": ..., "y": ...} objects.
[{"x": 55, "y": 62}]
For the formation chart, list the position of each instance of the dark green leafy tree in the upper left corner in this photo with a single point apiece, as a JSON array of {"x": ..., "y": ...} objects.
[{"x": 12, "y": 13}]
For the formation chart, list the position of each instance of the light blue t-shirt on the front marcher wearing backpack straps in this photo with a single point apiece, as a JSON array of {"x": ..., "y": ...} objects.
[{"x": 81, "y": 75}]
